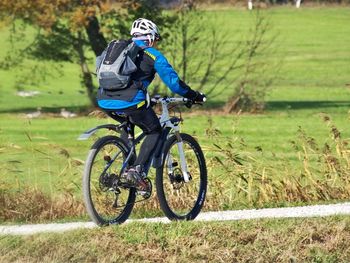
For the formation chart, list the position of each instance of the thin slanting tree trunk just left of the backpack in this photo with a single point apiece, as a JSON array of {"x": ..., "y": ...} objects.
[{"x": 87, "y": 76}]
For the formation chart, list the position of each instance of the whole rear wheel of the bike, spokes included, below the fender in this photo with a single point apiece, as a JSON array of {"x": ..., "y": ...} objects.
[{"x": 105, "y": 201}]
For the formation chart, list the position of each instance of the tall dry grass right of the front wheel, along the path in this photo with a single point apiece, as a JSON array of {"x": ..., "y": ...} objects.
[{"x": 323, "y": 172}]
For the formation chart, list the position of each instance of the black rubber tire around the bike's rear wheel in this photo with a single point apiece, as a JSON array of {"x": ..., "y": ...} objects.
[{"x": 90, "y": 187}]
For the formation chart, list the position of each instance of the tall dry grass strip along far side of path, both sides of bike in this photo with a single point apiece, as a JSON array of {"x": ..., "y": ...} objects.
[{"x": 237, "y": 178}]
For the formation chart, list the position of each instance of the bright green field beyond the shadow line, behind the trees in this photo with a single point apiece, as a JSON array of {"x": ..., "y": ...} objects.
[{"x": 312, "y": 42}]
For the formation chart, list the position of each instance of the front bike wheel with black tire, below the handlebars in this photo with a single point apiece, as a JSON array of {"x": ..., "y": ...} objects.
[{"x": 169, "y": 203}]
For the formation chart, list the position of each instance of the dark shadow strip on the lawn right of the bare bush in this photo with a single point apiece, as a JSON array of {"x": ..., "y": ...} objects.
[{"x": 300, "y": 105}]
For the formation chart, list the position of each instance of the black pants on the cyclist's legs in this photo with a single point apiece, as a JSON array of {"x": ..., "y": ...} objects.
[{"x": 147, "y": 120}]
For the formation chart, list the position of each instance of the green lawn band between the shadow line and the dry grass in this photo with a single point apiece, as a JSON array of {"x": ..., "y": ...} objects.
[{"x": 30, "y": 149}]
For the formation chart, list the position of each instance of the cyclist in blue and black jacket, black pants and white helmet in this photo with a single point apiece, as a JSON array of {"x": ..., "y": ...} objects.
[{"x": 149, "y": 61}]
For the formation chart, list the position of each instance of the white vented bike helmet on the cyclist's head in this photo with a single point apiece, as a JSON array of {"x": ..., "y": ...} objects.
[{"x": 145, "y": 27}]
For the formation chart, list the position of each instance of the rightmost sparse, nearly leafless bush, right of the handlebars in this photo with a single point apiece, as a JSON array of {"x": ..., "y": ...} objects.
[{"x": 259, "y": 70}]
